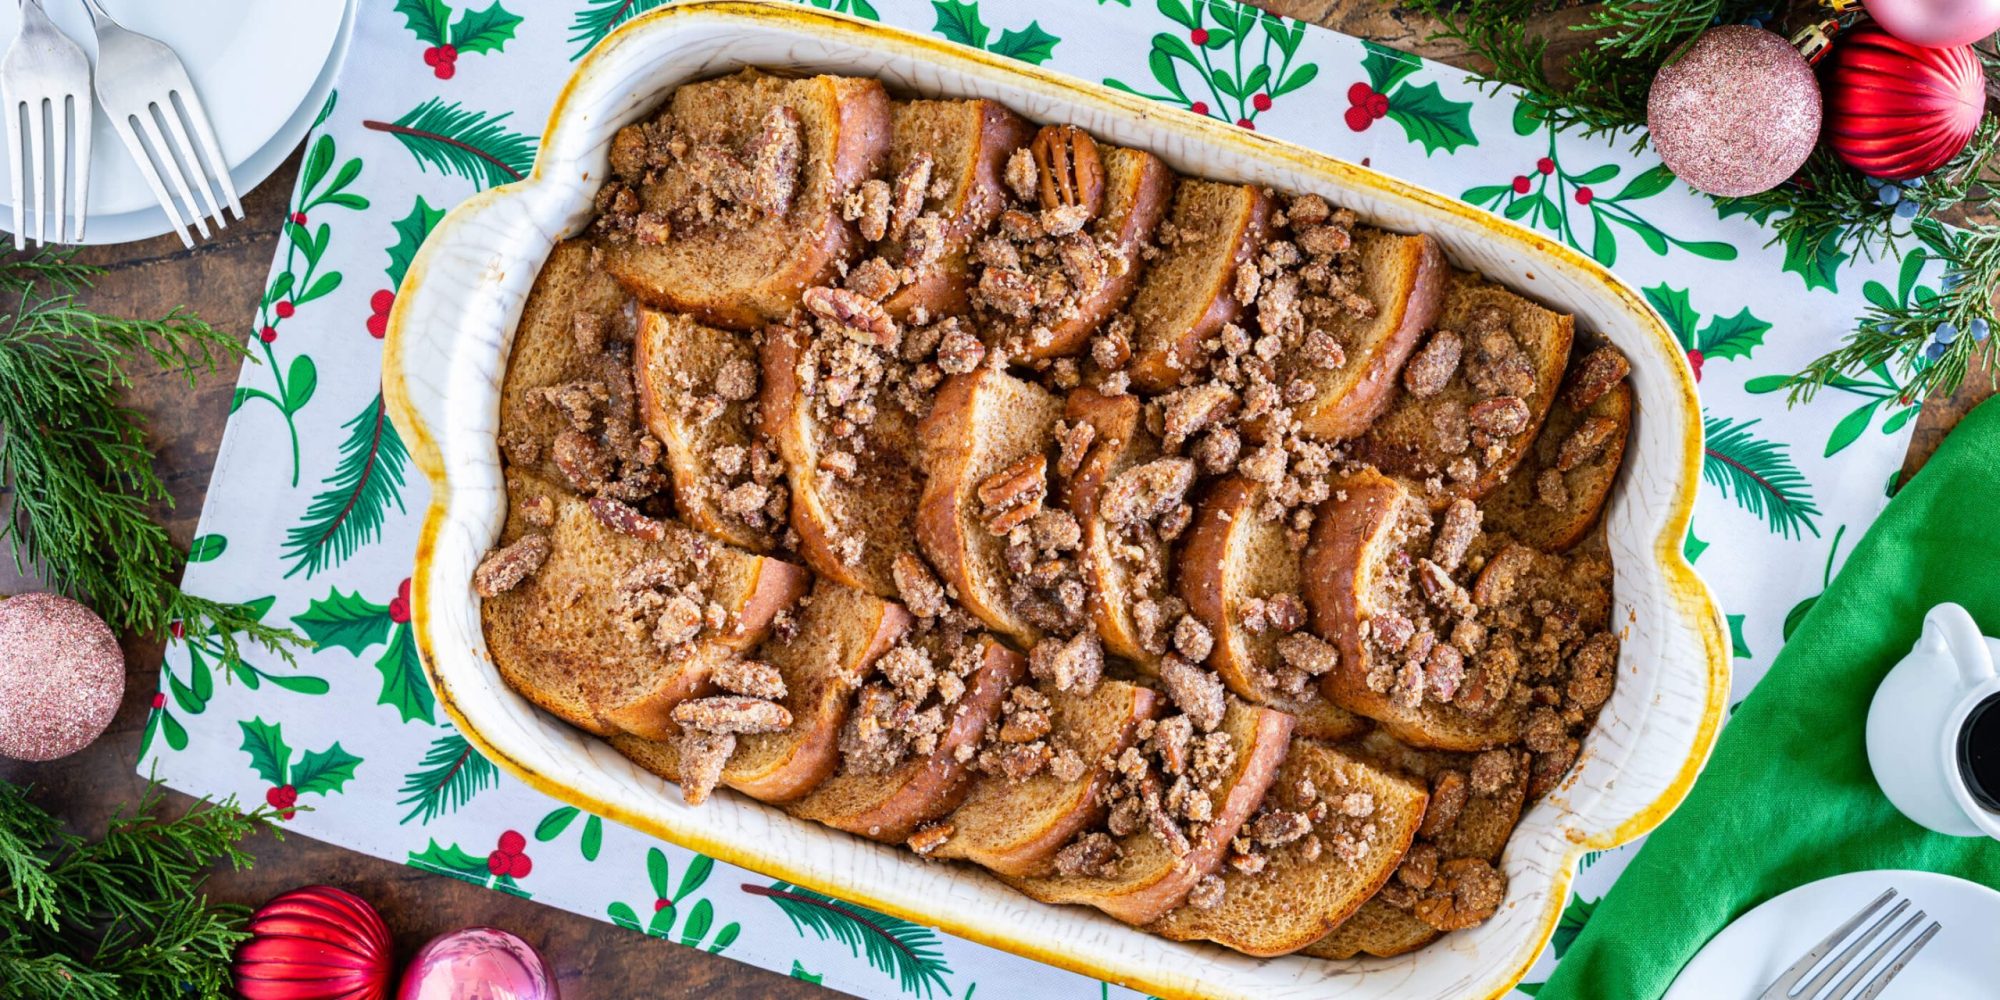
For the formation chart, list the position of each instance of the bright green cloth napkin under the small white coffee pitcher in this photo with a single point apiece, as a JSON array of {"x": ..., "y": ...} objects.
[{"x": 1789, "y": 799}]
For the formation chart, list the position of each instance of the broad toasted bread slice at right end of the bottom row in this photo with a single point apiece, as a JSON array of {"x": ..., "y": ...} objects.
[{"x": 1305, "y": 893}]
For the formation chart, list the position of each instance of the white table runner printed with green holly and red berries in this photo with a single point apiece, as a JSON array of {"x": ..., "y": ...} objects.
[{"x": 315, "y": 505}]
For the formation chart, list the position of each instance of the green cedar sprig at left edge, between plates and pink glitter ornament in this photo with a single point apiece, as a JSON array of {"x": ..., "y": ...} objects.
[{"x": 75, "y": 463}]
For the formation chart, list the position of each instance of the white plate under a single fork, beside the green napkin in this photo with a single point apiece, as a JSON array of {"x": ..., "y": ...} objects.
[{"x": 1759, "y": 947}]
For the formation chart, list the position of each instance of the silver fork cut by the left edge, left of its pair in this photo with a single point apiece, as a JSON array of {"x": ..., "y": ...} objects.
[{"x": 45, "y": 73}]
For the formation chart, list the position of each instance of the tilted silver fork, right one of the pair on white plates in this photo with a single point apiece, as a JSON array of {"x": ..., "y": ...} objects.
[{"x": 145, "y": 87}]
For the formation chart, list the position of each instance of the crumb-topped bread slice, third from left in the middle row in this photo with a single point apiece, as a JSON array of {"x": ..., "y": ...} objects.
[{"x": 851, "y": 529}]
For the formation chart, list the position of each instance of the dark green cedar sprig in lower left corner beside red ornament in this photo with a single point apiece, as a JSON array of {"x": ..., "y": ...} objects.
[{"x": 121, "y": 917}]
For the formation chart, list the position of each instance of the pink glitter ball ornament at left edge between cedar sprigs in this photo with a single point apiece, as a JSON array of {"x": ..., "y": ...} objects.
[{"x": 61, "y": 677}]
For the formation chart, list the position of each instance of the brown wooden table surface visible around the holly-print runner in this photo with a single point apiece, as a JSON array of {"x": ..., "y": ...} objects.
[{"x": 223, "y": 281}]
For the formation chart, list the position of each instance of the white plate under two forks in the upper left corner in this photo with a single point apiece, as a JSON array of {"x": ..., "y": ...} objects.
[{"x": 263, "y": 69}]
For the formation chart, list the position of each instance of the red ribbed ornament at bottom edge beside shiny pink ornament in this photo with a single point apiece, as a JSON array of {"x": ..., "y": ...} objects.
[{"x": 315, "y": 943}]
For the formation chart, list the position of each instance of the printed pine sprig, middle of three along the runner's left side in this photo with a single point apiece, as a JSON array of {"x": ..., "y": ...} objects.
[{"x": 357, "y": 499}]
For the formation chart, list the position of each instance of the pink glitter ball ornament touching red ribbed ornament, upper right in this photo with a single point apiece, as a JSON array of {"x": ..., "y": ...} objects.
[{"x": 1737, "y": 113}]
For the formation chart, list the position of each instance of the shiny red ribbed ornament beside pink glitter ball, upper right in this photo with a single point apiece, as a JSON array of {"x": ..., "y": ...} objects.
[{"x": 1899, "y": 111}]
